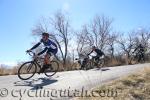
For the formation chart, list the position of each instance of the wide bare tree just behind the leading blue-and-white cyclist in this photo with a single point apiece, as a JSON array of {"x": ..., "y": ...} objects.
[{"x": 59, "y": 24}]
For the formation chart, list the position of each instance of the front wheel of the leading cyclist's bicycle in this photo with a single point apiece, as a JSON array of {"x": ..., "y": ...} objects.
[{"x": 27, "y": 70}]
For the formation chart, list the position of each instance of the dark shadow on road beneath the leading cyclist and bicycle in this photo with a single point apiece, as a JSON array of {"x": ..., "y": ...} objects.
[{"x": 35, "y": 83}]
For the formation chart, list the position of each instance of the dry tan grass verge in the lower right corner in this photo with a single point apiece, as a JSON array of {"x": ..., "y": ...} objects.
[{"x": 133, "y": 87}]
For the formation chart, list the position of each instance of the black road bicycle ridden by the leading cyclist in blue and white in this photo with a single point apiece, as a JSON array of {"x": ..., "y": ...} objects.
[{"x": 28, "y": 69}]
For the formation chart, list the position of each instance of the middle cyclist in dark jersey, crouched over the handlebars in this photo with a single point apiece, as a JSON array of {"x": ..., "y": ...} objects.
[{"x": 98, "y": 52}]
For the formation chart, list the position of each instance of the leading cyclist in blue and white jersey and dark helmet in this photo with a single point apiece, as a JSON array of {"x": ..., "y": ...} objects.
[{"x": 50, "y": 48}]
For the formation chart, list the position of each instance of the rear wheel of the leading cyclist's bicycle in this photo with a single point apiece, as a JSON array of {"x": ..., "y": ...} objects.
[{"x": 53, "y": 69}]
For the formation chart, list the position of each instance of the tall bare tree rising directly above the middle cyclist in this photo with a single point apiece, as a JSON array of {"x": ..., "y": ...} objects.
[{"x": 101, "y": 27}]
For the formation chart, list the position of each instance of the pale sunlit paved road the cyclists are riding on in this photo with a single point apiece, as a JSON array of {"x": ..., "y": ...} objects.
[{"x": 64, "y": 85}]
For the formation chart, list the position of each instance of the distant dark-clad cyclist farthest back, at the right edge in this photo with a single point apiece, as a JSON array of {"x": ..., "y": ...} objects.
[{"x": 140, "y": 52}]
